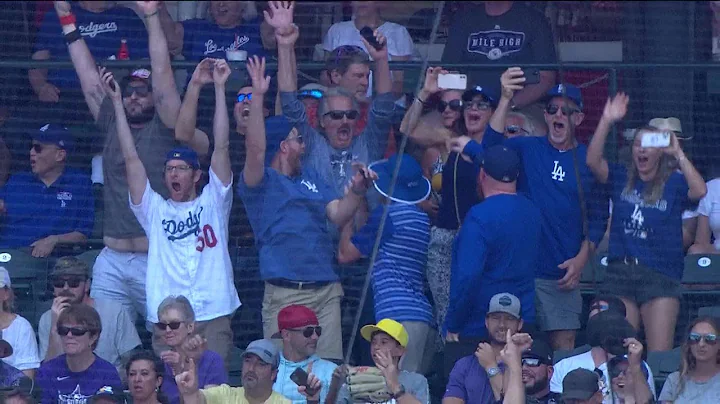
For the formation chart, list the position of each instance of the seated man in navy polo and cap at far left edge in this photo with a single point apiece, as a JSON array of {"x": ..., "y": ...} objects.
[{"x": 50, "y": 205}]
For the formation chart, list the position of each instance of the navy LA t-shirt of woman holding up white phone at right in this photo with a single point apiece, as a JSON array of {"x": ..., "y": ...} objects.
[{"x": 650, "y": 232}]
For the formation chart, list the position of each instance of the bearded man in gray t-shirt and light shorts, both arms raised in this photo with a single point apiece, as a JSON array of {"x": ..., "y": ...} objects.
[{"x": 151, "y": 104}]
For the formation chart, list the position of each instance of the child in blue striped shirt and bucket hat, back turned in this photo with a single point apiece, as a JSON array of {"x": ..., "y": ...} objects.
[{"x": 398, "y": 273}]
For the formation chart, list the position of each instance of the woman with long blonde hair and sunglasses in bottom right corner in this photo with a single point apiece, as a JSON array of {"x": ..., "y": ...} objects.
[{"x": 697, "y": 381}]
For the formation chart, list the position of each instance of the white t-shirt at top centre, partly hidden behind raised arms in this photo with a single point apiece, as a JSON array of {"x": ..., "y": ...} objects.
[{"x": 399, "y": 42}]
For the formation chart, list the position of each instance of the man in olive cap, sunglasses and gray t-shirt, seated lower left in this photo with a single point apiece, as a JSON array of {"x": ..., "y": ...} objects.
[{"x": 71, "y": 284}]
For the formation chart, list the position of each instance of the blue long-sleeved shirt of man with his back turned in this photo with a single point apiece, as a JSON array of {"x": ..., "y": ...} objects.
[{"x": 496, "y": 250}]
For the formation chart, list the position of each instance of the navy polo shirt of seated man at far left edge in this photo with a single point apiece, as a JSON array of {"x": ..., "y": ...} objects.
[{"x": 35, "y": 211}]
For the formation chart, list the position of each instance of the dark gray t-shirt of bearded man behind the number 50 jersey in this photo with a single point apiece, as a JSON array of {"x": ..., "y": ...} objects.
[{"x": 153, "y": 141}]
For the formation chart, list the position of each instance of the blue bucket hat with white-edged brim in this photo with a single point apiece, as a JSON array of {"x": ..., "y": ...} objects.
[{"x": 411, "y": 186}]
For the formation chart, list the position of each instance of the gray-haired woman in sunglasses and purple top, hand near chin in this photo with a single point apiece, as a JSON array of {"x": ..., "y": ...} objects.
[{"x": 177, "y": 327}]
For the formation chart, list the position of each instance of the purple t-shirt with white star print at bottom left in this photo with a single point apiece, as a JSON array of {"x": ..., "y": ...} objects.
[{"x": 60, "y": 385}]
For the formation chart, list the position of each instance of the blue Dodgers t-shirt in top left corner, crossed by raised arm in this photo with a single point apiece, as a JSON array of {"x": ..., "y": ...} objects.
[{"x": 102, "y": 33}]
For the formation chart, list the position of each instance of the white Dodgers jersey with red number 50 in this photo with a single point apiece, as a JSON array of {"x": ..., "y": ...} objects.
[{"x": 188, "y": 253}]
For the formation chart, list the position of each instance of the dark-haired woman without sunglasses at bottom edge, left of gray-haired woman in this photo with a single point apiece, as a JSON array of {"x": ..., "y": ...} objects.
[{"x": 145, "y": 374}]
